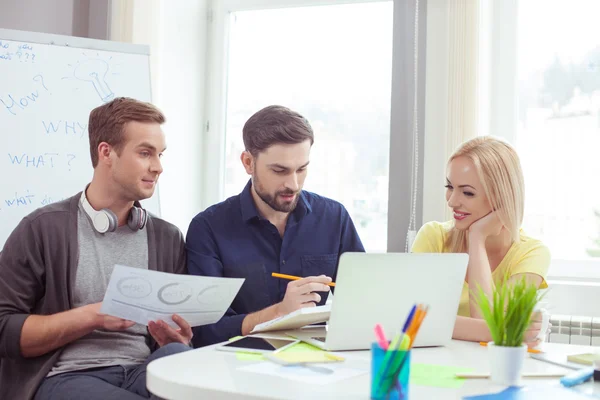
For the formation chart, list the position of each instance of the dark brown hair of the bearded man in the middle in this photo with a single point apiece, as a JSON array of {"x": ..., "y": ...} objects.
[{"x": 274, "y": 125}]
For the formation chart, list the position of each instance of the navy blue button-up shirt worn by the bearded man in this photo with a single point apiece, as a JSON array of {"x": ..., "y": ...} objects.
[{"x": 231, "y": 239}]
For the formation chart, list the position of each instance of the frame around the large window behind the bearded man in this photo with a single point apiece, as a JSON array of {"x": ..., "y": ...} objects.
[{"x": 401, "y": 143}]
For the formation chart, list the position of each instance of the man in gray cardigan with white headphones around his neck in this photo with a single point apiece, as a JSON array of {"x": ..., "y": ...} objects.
[{"x": 56, "y": 264}]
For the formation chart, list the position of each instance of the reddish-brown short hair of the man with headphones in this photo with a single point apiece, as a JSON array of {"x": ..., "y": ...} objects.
[{"x": 107, "y": 122}]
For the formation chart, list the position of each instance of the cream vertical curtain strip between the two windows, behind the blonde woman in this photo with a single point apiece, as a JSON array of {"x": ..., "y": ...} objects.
[{"x": 452, "y": 82}]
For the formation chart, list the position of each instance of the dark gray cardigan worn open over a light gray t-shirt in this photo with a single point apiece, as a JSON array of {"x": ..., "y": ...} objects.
[{"x": 37, "y": 273}]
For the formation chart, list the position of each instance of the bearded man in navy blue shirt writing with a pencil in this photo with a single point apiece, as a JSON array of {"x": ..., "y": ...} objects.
[{"x": 272, "y": 226}]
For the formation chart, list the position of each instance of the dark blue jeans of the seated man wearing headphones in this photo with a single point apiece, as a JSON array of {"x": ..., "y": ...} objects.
[{"x": 126, "y": 382}]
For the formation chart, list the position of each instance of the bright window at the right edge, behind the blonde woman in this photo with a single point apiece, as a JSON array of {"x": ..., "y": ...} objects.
[{"x": 558, "y": 125}]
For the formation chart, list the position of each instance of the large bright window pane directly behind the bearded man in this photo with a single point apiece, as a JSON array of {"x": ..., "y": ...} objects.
[{"x": 333, "y": 64}]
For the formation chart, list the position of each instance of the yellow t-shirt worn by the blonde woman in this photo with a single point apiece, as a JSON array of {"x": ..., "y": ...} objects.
[{"x": 526, "y": 256}]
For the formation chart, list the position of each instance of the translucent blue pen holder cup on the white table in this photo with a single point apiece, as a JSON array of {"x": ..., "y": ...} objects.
[{"x": 390, "y": 372}]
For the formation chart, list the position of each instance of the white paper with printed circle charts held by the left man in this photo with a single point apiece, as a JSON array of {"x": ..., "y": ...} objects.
[{"x": 143, "y": 295}]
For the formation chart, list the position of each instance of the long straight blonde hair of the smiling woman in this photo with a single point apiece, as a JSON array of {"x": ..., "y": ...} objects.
[{"x": 499, "y": 170}]
